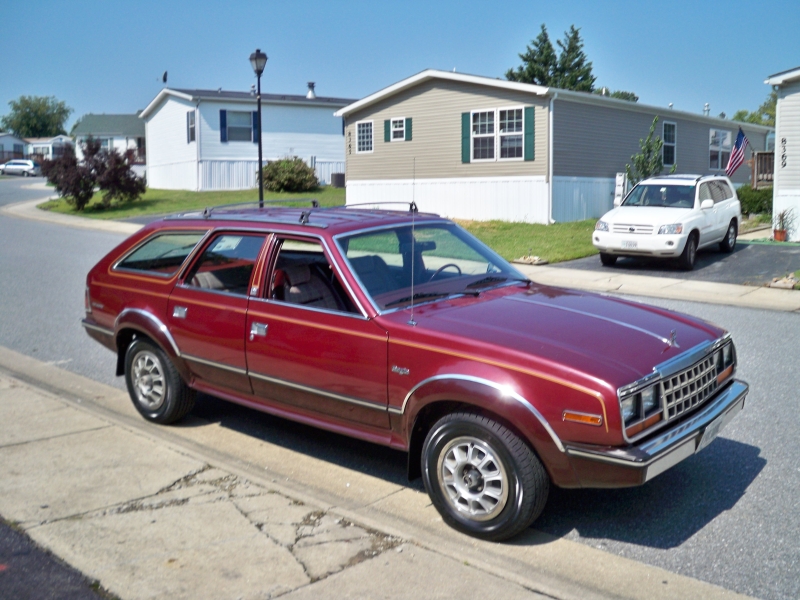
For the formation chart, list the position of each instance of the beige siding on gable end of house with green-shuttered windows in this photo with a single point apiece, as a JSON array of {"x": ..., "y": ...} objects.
[{"x": 435, "y": 109}]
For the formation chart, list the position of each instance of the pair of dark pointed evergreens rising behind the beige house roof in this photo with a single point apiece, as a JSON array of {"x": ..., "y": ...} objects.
[{"x": 541, "y": 65}]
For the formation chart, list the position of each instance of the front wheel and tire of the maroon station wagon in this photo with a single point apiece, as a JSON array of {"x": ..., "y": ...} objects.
[{"x": 519, "y": 483}]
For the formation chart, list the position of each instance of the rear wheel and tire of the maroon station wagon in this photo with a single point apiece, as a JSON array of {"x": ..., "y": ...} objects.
[{"x": 156, "y": 388}]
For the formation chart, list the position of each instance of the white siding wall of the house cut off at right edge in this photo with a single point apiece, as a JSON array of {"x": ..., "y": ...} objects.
[{"x": 787, "y": 155}]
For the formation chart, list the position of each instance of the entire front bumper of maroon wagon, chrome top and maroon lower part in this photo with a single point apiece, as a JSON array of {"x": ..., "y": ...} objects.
[{"x": 597, "y": 466}]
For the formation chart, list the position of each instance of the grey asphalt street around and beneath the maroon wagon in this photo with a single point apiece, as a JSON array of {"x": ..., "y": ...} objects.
[{"x": 727, "y": 515}]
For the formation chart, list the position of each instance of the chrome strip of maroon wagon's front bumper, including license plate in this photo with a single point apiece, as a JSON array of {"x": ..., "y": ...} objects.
[{"x": 673, "y": 445}]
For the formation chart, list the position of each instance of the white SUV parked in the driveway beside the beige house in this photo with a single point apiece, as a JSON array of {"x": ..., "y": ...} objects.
[{"x": 671, "y": 216}]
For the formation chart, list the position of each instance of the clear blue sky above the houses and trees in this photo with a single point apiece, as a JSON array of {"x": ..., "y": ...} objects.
[{"x": 108, "y": 57}]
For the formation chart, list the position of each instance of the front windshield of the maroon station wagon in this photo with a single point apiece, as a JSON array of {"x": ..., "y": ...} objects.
[{"x": 445, "y": 261}]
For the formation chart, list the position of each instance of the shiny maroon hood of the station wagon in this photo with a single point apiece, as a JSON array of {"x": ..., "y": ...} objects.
[{"x": 604, "y": 338}]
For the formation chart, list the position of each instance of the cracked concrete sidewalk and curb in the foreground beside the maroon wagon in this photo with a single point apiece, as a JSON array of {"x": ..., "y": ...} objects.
[{"x": 201, "y": 511}]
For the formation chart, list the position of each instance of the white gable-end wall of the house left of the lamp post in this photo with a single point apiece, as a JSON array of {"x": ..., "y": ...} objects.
[{"x": 171, "y": 161}]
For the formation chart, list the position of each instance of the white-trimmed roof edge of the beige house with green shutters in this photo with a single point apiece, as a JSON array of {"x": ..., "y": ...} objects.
[{"x": 537, "y": 90}]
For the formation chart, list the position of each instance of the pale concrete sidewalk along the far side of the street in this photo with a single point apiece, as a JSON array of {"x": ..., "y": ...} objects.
[{"x": 635, "y": 285}]
